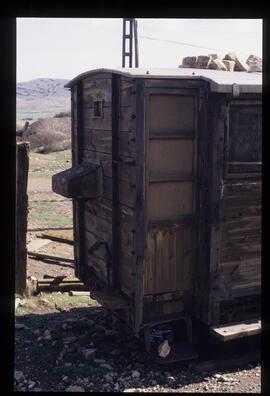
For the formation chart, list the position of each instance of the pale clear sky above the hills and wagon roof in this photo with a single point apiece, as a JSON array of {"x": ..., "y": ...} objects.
[{"x": 65, "y": 47}]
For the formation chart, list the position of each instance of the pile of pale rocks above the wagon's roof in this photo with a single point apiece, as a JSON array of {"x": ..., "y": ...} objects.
[{"x": 230, "y": 62}]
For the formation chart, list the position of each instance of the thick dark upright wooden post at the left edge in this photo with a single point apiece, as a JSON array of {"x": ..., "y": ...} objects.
[{"x": 22, "y": 165}]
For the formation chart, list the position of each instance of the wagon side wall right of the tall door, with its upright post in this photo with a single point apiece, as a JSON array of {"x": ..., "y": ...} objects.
[{"x": 235, "y": 254}]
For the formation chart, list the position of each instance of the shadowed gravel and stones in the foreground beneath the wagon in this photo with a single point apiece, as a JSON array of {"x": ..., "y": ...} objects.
[{"x": 79, "y": 346}]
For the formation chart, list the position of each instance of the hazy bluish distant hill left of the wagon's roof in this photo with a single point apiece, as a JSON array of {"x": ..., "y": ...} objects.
[{"x": 41, "y": 98}]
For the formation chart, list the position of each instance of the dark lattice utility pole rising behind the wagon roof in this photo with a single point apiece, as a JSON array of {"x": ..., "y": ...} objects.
[{"x": 130, "y": 28}]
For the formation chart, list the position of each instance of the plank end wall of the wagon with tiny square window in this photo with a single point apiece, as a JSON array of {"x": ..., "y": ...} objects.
[{"x": 97, "y": 145}]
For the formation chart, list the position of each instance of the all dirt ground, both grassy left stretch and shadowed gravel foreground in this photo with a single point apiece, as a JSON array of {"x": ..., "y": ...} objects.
[{"x": 71, "y": 343}]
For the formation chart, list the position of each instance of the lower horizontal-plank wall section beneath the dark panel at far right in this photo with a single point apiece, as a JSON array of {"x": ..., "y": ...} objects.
[{"x": 240, "y": 250}]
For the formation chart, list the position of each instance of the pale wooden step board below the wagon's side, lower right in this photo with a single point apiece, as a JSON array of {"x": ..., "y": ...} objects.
[{"x": 237, "y": 330}]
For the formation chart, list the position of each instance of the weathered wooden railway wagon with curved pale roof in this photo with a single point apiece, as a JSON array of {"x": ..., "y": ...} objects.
[{"x": 166, "y": 189}]
